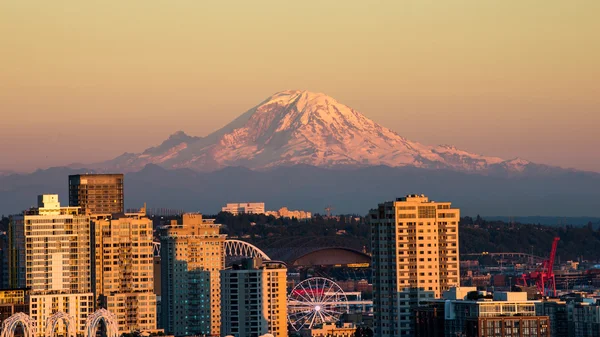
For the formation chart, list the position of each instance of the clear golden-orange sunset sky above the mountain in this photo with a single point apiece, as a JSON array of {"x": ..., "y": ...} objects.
[{"x": 84, "y": 81}]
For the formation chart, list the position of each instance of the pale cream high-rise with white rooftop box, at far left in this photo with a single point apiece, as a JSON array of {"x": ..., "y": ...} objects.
[{"x": 55, "y": 243}]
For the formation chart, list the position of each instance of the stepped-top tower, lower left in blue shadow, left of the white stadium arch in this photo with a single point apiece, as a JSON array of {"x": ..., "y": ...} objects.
[{"x": 192, "y": 256}]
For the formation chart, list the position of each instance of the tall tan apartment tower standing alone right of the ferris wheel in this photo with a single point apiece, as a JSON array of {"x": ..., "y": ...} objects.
[{"x": 414, "y": 243}]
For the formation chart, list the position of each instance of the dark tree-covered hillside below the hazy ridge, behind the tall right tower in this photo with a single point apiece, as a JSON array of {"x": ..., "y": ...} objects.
[{"x": 476, "y": 234}]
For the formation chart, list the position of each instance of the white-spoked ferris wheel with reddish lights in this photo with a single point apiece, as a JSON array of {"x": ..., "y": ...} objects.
[{"x": 316, "y": 300}]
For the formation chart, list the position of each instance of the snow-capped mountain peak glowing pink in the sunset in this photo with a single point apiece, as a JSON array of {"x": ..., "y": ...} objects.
[{"x": 300, "y": 127}]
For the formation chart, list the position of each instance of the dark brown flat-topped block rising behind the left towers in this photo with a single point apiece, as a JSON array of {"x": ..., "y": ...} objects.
[{"x": 97, "y": 193}]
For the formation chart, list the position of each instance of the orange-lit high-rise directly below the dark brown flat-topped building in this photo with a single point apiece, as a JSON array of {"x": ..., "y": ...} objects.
[{"x": 124, "y": 277}]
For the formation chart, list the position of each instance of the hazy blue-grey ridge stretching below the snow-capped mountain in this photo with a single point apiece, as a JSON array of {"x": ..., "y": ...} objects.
[{"x": 305, "y": 187}]
